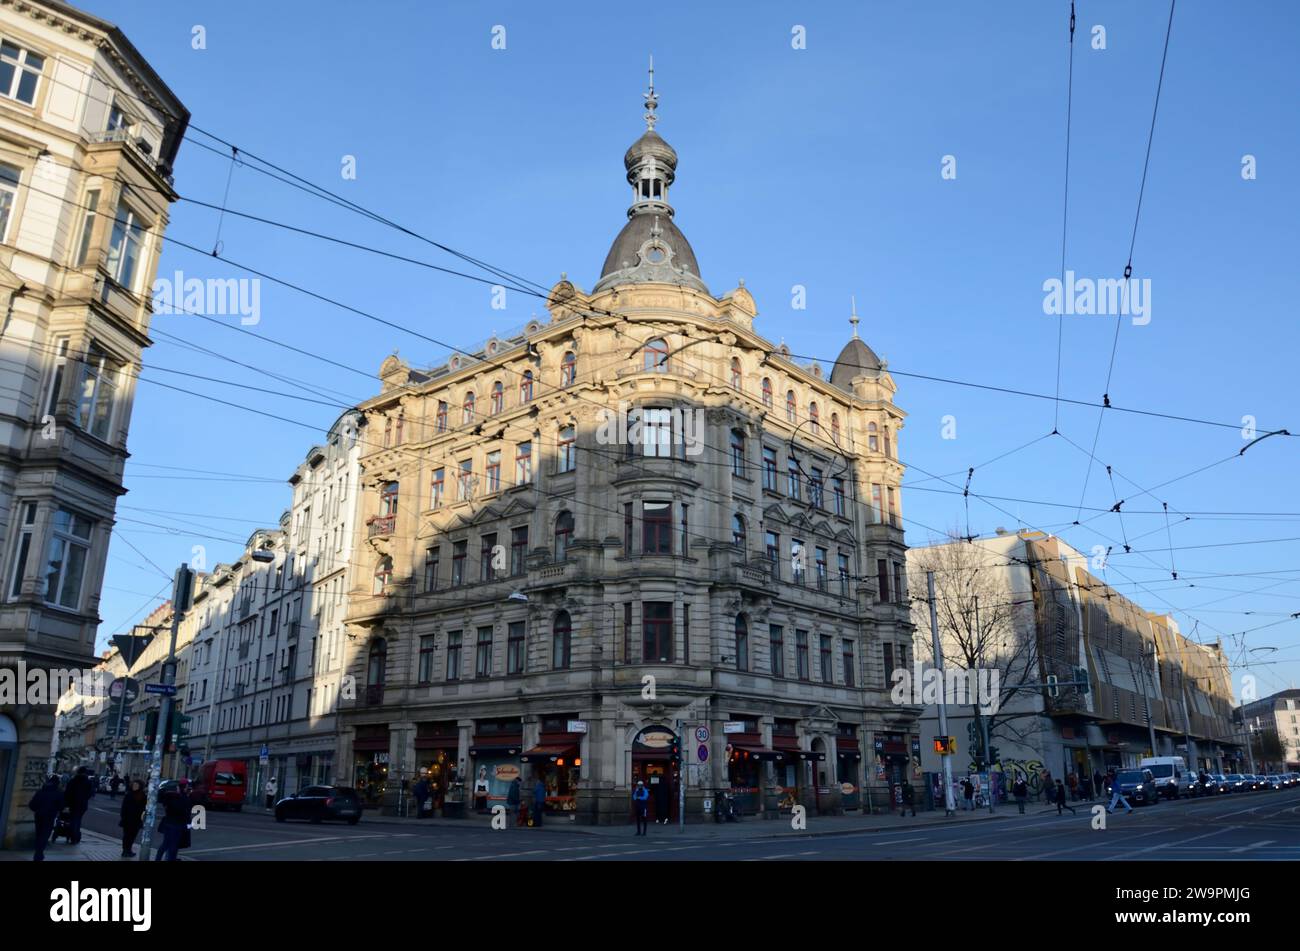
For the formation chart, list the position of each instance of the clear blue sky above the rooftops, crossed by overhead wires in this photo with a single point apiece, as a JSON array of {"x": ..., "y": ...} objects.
[{"x": 817, "y": 167}]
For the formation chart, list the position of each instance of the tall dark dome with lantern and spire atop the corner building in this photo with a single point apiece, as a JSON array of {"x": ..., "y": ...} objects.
[{"x": 651, "y": 249}]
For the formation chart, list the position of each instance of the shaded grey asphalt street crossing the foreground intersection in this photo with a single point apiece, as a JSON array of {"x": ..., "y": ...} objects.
[{"x": 1249, "y": 827}]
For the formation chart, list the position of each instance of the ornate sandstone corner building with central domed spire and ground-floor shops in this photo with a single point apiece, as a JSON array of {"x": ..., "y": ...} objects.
[{"x": 638, "y": 542}]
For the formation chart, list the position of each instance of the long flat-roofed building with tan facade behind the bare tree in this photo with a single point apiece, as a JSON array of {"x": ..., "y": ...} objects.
[{"x": 1151, "y": 691}]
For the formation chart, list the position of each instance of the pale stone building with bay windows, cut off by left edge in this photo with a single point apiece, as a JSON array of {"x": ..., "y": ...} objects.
[{"x": 88, "y": 137}]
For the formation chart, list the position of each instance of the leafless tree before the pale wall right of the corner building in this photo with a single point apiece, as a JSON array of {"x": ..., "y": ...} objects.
[{"x": 983, "y": 627}]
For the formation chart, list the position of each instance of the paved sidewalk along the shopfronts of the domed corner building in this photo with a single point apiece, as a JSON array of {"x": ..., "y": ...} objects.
[{"x": 749, "y": 828}]
